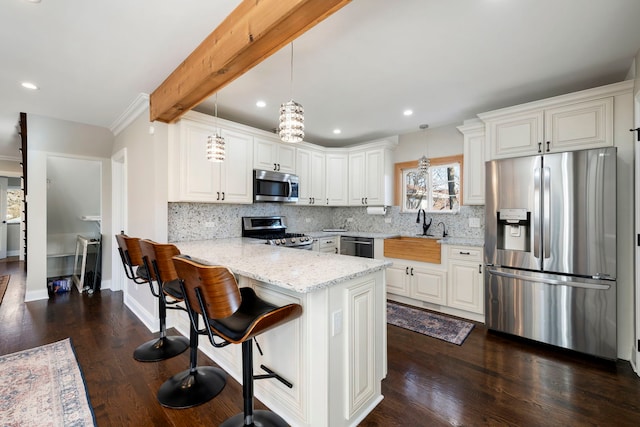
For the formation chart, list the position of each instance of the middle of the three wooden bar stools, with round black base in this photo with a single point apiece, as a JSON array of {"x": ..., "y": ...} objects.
[{"x": 198, "y": 384}]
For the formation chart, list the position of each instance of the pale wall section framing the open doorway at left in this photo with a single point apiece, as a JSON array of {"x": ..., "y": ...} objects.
[{"x": 48, "y": 136}]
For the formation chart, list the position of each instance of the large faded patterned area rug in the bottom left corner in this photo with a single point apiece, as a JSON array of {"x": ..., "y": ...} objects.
[{"x": 44, "y": 386}]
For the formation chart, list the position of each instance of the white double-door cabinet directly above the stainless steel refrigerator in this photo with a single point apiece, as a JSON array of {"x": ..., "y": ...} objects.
[{"x": 570, "y": 122}]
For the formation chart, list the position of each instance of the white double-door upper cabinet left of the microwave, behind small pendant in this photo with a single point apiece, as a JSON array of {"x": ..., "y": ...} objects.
[{"x": 193, "y": 178}]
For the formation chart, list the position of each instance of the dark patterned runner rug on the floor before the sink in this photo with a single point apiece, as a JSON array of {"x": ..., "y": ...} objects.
[{"x": 444, "y": 328}]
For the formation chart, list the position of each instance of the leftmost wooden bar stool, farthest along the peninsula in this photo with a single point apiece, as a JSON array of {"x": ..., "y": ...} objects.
[{"x": 165, "y": 346}]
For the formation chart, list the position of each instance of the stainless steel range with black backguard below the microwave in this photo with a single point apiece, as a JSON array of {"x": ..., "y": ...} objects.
[{"x": 273, "y": 230}]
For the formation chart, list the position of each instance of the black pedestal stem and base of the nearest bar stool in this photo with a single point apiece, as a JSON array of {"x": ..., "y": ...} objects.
[{"x": 250, "y": 417}]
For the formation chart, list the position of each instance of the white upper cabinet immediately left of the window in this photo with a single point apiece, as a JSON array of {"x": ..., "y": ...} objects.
[{"x": 370, "y": 177}]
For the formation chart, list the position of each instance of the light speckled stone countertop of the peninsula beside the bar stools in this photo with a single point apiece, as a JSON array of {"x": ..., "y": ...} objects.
[{"x": 293, "y": 269}]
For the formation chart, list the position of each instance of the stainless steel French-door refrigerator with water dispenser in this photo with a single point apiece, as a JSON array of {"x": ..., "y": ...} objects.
[{"x": 550, "y": 249}]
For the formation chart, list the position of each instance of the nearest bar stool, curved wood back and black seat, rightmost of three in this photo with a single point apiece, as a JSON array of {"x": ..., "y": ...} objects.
[{"x": 235, "y": 316}]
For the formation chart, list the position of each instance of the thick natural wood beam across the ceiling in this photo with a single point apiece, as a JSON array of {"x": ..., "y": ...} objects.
[{"x": 255, "y": 30}]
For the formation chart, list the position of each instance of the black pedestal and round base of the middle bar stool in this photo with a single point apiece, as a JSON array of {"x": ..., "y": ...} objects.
[{"x": 194, "y": 386}]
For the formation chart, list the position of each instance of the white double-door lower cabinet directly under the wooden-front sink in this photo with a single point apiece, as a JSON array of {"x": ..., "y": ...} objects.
[{"x": 418, "y": 281}]
